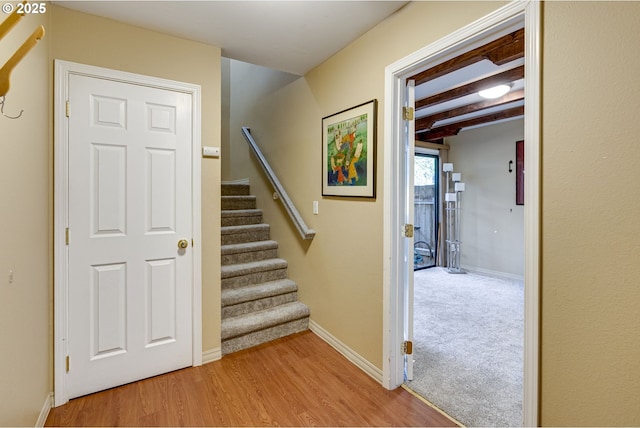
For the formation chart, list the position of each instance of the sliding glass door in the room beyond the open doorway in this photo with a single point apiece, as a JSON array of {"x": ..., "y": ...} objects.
[{"x": 426, "y": 210}]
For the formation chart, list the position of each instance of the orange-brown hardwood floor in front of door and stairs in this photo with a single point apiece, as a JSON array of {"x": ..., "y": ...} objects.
[{"x": 296, "y": 381}]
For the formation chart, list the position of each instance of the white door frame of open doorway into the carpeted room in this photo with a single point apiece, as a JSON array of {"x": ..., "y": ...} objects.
[{"x": 528, "y": 13}]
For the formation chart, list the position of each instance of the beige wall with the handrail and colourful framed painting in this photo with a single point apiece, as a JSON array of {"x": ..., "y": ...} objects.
[{"x": 340, "y": 272}]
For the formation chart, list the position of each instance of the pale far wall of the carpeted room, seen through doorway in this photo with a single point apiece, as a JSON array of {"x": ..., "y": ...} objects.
[{"x": 492, "y": 228}]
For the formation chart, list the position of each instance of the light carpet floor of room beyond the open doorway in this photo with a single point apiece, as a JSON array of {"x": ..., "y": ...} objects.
[{"x": 468, "y": 346}]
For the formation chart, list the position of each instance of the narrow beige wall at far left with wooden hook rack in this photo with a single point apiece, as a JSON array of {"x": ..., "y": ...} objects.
[{"x": 24, "y": 227}]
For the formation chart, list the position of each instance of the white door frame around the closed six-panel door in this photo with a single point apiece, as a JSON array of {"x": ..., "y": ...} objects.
[{"x": 63, "y": 70}]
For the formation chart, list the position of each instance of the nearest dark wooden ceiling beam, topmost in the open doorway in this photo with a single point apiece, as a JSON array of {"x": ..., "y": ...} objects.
[{"x": 500, "y": 51}]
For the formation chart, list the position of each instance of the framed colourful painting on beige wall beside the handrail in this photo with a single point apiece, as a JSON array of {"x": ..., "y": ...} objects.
[{"x": 349, "y": 152}]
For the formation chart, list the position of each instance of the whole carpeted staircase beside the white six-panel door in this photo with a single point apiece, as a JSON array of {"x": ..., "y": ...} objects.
[{"x": 259, "y": 302}]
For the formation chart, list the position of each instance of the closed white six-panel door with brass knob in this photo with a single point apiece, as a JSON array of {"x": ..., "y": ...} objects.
[{"x": 129, "y": 205}]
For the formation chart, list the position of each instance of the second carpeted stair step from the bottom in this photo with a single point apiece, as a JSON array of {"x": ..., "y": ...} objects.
[{"x": 237, "y": 301}]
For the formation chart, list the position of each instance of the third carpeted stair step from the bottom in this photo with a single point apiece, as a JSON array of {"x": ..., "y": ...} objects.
[{"x": 242, "y": 274}]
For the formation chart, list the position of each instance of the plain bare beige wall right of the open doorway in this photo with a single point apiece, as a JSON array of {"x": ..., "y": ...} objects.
[{"x": 590, "y": 205}]
